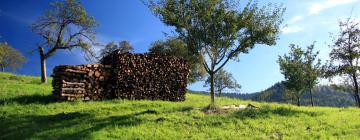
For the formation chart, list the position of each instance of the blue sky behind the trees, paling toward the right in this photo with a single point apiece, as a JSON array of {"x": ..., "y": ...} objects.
[{"x": 305, "y": 21}]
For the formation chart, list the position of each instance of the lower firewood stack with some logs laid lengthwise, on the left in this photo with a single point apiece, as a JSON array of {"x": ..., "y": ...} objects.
[{"x": 84, "y": 82}]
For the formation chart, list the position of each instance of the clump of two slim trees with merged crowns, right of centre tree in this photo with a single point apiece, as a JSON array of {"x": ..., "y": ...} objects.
[{"x": 301, "y": 70}]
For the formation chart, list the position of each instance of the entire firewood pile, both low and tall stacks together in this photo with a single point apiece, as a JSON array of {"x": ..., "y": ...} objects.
[{"x": 126, "y": 76}]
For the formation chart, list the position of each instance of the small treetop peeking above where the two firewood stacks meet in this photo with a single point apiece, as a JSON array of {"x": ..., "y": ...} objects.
[{"x": 122, "y": 47}]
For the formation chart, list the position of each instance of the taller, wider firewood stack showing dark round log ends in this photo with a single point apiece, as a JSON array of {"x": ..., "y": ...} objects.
[{"x": 147, "y": 76}]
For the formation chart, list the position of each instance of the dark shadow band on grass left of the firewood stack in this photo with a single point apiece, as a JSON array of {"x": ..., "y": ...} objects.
[{"x": 29, "y": 99}]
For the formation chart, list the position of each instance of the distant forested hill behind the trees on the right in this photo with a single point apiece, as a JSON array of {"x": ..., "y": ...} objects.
[{"x": 323, "y": 96}]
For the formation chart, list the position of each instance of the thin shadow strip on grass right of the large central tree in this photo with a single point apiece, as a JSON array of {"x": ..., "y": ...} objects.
[{"x": 266, "y": 112}]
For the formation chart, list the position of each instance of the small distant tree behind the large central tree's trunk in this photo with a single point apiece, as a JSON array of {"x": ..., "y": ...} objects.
[{"x": 223, "y": 80}]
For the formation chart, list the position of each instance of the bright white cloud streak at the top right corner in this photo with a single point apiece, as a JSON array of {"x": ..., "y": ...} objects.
[{"x": 317, "y": 7}]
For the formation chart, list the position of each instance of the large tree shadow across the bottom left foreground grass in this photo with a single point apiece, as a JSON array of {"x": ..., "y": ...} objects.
[{"x": 78, "y": 125}]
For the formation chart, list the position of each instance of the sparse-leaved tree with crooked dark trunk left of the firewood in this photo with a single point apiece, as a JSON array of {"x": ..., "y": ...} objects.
[{"x": 66, "y": 26}]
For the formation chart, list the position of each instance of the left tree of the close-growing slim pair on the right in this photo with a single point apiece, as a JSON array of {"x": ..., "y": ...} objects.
[{"x": 292, "y": 67}]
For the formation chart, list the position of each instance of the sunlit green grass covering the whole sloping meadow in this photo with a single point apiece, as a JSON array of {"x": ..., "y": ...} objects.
[{"x": 28, "y": 111}]
